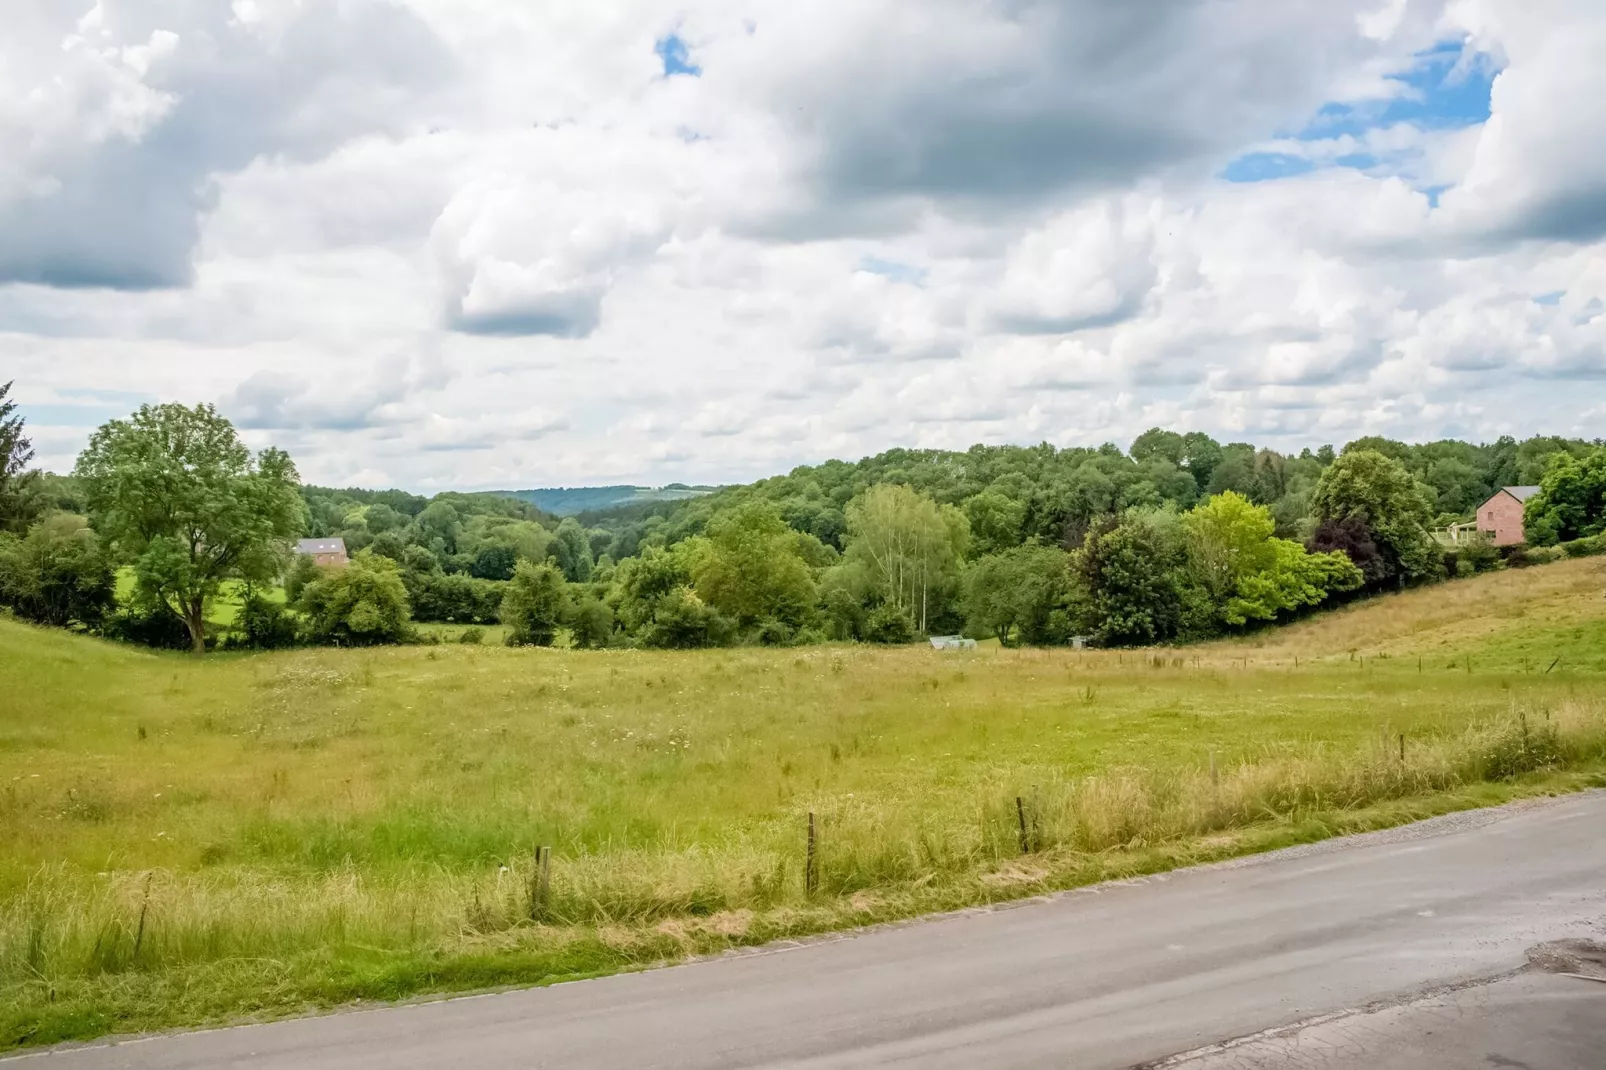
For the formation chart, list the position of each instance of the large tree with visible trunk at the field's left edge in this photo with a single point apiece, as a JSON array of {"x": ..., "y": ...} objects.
[{"x": 179, "y": 494}]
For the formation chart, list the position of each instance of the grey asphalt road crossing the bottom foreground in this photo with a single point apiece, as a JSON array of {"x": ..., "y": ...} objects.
[{"x": 1331, "y": 955}]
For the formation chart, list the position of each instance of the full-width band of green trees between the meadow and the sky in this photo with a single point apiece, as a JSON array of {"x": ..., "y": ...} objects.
[{"x": 1175, "y": 539}]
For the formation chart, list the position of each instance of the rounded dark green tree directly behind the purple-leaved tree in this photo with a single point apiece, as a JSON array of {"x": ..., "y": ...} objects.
[{"x": 1377, "y": 491}]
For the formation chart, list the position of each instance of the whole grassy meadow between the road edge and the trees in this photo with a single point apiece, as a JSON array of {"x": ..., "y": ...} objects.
[{"x": 194, "y": 841}]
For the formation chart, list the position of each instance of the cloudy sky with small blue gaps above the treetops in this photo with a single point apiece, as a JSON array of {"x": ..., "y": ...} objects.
[{"x": 494, "y": 243}]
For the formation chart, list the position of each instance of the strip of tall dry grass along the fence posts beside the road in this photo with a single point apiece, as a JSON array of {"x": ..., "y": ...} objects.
[{"x": 67, "y": 926}]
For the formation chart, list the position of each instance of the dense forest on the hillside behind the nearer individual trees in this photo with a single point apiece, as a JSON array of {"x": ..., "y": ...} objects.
[{"x": 1016, "y": 494}]
